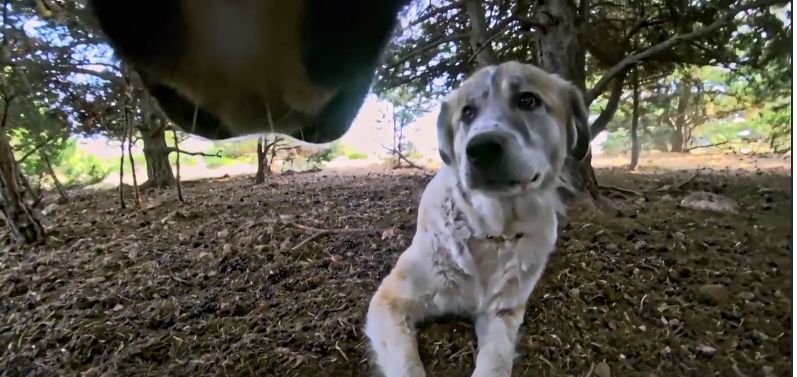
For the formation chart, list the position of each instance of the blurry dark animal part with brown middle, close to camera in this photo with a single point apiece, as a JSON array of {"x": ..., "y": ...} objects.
[{"x": 221, "y": 69}]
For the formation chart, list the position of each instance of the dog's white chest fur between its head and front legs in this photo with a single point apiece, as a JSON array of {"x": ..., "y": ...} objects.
[{"x": 487, "y": 254}]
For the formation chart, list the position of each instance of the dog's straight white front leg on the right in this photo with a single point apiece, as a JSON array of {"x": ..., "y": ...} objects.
[{"x": 496, "y": 333}]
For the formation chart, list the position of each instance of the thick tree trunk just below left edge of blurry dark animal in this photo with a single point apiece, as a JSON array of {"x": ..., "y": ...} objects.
[{"x": 156, "y": 154}]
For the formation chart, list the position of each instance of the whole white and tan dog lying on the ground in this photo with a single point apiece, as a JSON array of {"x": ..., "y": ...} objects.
[{"x": 487, "y": 221}]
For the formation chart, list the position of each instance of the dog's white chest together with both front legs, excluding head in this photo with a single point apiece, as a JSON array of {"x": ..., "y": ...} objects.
[{"x": 471, "y": 255}]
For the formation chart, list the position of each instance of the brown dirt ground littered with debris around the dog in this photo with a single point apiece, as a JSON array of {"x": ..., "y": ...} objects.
[{"x": 230, "y": 285}]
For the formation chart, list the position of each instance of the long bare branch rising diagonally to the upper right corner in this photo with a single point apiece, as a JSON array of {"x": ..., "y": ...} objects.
[{"x": 603, "y": 83}]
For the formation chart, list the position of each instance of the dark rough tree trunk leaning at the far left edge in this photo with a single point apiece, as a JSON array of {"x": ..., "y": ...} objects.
[{"x": 21, "y": 220}]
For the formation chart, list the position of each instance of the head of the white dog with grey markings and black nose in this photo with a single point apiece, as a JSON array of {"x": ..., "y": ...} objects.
[{"x": 508, "y": 129}]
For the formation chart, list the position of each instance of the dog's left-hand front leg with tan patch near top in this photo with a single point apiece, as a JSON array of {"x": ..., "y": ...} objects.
[{"x": 395, "y": 308}]
